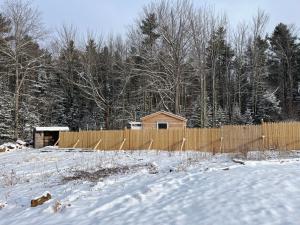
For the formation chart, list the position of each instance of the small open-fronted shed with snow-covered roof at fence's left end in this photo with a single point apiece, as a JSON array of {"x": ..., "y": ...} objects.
[{"x": 46, "y": 136}]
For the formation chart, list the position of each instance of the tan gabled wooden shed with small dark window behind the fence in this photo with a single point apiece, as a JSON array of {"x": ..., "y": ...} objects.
[{"x": 163, "y": 120}]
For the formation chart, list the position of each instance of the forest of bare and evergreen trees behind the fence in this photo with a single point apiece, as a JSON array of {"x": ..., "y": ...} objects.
[{"x": 175, "y": 57}]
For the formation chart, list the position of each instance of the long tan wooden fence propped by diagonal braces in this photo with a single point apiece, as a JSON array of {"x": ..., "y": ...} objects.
[{"x": 280, "y": 136}]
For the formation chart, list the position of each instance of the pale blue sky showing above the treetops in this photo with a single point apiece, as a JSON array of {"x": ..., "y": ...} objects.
[{"x": 114, "y": 16}]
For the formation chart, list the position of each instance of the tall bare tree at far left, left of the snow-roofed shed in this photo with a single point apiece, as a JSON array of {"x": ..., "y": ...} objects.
[{"x": 26, "y": 30}]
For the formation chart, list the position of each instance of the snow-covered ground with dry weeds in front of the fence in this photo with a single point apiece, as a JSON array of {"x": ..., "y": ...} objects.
[{"x": 146, "y": 187}]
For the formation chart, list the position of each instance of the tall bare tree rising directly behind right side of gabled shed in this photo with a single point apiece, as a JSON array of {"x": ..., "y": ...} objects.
[{"x": 175, "y": 34}]
